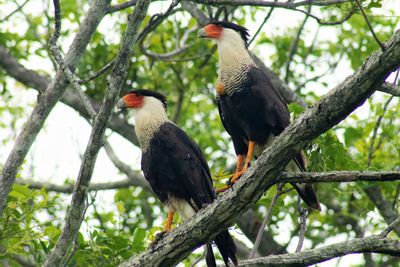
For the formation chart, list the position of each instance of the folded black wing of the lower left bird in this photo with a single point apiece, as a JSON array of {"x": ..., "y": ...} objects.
[{"x": 174, "y": 165}]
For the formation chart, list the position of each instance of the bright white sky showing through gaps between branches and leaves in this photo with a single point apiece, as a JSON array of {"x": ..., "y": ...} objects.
[{"x": 57, "y": 149}]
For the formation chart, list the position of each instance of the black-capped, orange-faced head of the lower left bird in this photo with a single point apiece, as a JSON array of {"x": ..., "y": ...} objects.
[{"x": 137, "y": 99}]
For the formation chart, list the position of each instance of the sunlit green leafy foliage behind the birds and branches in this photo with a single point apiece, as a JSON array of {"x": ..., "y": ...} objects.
[{"x": 32, "y": 221}]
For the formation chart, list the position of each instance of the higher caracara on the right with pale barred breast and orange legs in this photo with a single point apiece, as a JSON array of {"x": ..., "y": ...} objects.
[{"x": 252, "y": 110}]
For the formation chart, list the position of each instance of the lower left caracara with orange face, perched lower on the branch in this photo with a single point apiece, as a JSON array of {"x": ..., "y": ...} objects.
[{"x": 174, "y": 165}]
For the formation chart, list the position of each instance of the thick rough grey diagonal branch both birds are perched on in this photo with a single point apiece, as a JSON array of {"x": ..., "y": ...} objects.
[{"x": 332, "y": 108}]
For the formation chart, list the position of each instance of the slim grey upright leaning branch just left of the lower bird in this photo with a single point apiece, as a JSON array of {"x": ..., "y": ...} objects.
[{"x": 78, "y": 206}]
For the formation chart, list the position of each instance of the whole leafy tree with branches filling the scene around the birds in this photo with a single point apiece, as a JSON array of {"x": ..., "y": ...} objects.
[{"x": 336, "y": 62}]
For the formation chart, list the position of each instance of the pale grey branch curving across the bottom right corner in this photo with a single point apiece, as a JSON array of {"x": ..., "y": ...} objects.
[{"x": 372, "y": 244}]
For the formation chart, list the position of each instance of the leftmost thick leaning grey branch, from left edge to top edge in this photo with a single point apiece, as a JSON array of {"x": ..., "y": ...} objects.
[{"x": 47, "y": 100}]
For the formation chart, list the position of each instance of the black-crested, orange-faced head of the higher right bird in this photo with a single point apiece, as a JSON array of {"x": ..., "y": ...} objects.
[{"x": 223, "y": 31}]
